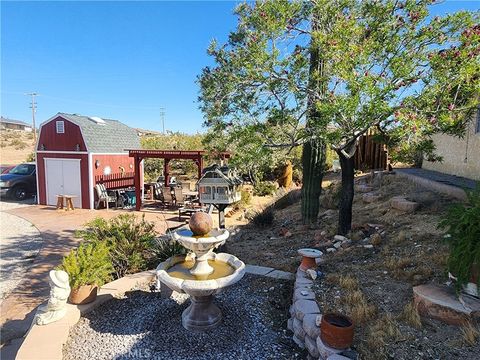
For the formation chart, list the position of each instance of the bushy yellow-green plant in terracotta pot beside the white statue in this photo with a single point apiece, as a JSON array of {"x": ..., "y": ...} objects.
[{"x": 88, "y": 267}]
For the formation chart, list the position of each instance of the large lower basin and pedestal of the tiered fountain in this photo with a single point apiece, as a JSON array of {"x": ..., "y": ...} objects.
[{"x": 202, "y": 314}]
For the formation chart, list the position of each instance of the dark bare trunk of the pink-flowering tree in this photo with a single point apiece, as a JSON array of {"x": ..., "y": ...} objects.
[{"x": 346, "y": 194}]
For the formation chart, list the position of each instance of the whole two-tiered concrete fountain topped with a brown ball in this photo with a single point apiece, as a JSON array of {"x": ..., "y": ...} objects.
[{"x": 202, "y": 273}]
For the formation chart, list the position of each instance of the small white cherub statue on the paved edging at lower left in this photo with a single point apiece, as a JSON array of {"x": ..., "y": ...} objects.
[{"x": 56, "y": 306}]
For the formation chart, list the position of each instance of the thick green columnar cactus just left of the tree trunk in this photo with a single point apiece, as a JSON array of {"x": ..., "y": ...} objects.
[{"x": 313, "y": 159}]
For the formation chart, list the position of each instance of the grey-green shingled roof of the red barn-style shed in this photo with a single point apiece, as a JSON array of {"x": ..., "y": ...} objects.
[{"x": 111, "y": 137}]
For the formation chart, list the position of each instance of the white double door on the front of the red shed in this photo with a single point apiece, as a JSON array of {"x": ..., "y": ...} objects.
[{"x": 62, "y": 177}]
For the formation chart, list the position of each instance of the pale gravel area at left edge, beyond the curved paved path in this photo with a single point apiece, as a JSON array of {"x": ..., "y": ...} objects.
[{"x": 20, "y": 242}]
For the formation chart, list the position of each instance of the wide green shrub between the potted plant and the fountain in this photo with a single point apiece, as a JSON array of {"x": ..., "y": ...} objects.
[{"x": 130, "y": 241}]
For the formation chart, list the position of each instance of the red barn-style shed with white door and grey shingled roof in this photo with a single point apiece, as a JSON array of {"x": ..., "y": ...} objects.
[{"x": 72, "y": 150}]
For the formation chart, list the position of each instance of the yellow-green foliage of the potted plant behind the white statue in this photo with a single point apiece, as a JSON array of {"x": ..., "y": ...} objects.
[{"x": 88, "y": 265}]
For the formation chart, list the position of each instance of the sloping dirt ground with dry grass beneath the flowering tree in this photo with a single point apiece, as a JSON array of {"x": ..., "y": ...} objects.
[{"x": 371, "y": 285}]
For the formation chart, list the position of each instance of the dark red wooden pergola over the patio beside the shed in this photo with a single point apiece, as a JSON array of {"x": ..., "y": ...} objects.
[{"x": 167, "y": 155}]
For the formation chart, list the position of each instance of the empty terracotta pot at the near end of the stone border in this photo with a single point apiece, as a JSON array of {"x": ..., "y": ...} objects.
[{"x": 336, "y": 331}]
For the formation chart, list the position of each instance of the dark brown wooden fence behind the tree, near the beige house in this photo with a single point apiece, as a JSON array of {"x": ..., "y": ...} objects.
[{"x": 371, "y": 154}]
